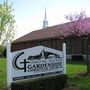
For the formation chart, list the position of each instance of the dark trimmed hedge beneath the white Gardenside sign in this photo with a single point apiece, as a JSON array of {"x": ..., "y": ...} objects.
[{"x": 47, "y": 83}]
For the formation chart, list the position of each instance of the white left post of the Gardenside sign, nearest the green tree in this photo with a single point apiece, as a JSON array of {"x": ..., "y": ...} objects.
[{"x": 9, "y": 63}]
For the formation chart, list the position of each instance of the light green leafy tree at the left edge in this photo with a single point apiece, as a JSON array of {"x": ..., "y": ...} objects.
[{"x": 6, "y": 23}]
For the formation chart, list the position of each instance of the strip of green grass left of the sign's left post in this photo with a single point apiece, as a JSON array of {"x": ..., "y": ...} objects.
[{"x": 2, "y": 72}]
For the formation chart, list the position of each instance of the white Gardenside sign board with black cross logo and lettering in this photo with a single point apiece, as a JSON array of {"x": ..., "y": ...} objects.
[{"x": 36, "y": 62}]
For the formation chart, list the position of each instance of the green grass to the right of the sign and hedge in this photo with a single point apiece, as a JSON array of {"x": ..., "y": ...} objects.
[{"x": 74, "y": 80}]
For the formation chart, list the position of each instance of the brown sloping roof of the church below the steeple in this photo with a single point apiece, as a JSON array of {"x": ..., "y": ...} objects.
[{"x": 49, "y": 32}]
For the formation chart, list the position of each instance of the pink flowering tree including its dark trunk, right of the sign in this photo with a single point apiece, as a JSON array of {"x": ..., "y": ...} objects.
[{"x": 80, "y": 27}]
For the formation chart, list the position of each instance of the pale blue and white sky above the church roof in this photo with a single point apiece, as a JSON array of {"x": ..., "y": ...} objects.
[{"x": 29, "y": 14}]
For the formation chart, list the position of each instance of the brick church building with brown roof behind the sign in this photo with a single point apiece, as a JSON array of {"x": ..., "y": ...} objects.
[{"x": 52, "y": 37}]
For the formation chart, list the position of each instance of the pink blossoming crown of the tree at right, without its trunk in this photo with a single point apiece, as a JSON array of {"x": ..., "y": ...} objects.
[{"x": 80, "y": 24}]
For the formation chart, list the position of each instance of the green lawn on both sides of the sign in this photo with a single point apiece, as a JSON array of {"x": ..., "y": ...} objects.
[{"x": 81, "y": 83}]
